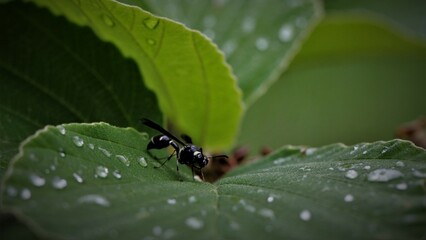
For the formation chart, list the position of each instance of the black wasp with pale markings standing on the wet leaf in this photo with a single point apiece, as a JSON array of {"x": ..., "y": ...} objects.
[{"x": 187, "y": 153}]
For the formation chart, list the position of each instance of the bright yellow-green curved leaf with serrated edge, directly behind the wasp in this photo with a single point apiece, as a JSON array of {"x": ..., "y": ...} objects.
[{"x": 194, "y": 86}]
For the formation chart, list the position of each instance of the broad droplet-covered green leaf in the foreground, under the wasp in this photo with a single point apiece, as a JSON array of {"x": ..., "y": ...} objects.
[{"x": 59, "y": 185}]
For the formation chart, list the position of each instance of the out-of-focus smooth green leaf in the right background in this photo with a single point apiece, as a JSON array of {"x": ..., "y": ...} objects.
[{"x": 354, "y": 80}]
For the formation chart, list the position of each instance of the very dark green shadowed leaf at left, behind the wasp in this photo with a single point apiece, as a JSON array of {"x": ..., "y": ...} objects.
[{"x": 53, "y": 72}]
